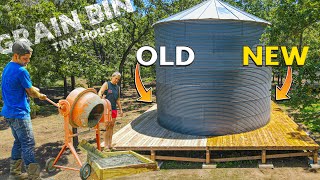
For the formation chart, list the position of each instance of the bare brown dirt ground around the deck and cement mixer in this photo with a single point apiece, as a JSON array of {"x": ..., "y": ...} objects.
[{"x": 49, "y": 136}]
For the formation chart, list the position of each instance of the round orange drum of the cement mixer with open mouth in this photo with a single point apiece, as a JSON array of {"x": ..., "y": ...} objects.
[{"x": 86, "y": 107}]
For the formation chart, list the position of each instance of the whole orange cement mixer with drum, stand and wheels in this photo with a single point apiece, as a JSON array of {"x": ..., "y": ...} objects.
[{"x": 83, "y": 108}]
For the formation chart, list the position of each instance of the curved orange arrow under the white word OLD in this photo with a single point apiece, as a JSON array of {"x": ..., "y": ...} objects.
[{"x": 145, "y": 95}]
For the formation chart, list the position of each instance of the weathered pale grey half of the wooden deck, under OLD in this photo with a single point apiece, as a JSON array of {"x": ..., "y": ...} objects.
[{"x": 144, "y": 133}]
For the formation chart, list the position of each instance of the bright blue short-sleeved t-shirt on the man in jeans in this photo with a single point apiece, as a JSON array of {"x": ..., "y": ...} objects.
[{"x": 15, "y": 78}]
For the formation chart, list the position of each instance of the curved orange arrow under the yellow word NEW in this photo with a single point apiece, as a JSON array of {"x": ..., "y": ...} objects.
[{"x": 281, "y": 94}]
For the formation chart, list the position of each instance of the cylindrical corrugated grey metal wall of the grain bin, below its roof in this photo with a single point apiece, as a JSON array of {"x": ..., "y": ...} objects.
[{"x": 216, "y": 94}]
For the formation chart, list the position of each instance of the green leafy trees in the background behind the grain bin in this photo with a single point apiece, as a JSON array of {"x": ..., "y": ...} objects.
[{"x": 294, "y": 23}]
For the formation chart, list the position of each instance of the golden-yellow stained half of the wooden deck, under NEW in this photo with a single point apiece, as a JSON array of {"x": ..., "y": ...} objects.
[{"x": 281, "y": 133}]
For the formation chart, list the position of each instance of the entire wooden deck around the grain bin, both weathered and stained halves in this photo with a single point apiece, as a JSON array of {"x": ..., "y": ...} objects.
[{"x": 281, "y": 133}]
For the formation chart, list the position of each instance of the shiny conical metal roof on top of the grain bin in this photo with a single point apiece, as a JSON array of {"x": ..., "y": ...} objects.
[{"x": 213, "y": 9}]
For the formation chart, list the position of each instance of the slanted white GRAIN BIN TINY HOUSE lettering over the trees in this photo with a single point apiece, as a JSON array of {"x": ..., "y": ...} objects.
[{"x": 60, "y": 26}]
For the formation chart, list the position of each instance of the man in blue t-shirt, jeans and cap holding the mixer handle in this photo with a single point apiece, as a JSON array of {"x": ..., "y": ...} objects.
[{"x": 16, "y": 86}]
